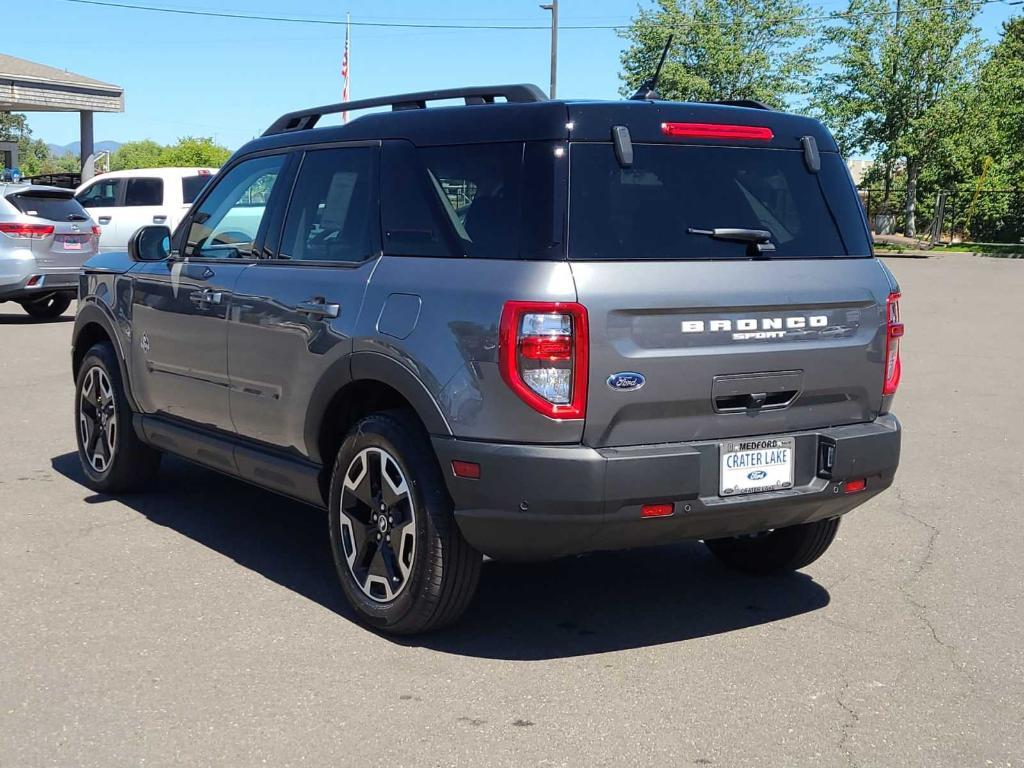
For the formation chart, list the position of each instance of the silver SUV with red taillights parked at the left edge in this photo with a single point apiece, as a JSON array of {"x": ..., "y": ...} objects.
[{"x": 46, "y": 237}]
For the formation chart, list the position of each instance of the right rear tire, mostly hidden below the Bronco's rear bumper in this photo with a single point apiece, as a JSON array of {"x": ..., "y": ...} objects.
[{"x": 777, "y": 551}]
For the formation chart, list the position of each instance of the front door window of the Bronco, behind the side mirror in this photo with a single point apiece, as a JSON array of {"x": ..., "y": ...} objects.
[{"x": 228, "y": 222}]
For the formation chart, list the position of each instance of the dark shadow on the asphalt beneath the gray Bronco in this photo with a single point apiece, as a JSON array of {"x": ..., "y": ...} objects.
[{"x": 570, "y": 608}]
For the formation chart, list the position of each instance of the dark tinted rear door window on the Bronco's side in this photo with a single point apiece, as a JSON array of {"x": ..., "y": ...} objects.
[{"x": 334, "y": 214}]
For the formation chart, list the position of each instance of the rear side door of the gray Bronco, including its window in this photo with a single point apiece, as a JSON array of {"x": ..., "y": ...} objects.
[{"x": 293, "y": 316}]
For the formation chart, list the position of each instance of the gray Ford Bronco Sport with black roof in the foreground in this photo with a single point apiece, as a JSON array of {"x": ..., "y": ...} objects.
[{"x": 517, "y": 328}]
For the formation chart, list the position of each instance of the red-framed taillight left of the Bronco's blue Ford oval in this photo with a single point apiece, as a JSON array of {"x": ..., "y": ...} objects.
[{"x": 543, "y": 356}]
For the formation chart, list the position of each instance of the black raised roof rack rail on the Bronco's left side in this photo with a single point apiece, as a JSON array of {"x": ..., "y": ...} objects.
[{"x": 305, "y": 119}]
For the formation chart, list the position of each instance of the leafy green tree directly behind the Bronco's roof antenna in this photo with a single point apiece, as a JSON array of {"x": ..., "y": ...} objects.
[{"x": 723, "y": 50}]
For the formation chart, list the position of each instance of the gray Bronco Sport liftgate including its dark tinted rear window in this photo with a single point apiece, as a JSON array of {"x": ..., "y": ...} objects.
[{"x": 699, "y": 336}]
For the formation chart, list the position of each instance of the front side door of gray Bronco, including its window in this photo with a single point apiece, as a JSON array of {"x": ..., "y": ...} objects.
[{"x": 181, "y": 307}]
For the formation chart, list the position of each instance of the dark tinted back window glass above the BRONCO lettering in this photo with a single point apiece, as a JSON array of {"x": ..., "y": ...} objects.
[{"x": 648, "y": 210}]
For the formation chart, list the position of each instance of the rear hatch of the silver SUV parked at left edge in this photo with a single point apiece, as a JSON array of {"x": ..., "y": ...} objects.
[{"x": 69, "y": 239}]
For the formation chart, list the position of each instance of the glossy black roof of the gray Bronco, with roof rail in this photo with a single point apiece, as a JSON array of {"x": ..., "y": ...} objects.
[{"x": 521, "y": 119}]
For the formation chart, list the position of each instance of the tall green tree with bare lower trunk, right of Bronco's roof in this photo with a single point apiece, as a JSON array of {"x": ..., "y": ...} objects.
[{"x": 899, "y": 84}]
